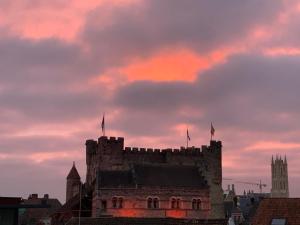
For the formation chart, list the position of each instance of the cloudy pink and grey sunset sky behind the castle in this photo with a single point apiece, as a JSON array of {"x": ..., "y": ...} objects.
[{"x": 155, "y": 67}]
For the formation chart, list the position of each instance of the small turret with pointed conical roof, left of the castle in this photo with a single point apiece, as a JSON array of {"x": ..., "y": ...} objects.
[{"x": 73, "y": 183}]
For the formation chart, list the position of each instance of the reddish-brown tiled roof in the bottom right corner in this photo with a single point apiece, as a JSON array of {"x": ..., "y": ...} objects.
[{"x": 277, "y": 208}]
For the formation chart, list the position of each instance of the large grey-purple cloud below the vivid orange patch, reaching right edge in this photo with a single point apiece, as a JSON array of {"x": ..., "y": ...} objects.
[{"x": 250, "y": 92}]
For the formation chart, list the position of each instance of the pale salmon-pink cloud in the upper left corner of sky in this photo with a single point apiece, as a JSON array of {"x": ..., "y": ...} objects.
[{"x": 48, "y": 19}]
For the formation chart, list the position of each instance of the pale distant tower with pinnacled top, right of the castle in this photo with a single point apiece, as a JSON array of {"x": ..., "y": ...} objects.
[{"x": 280, "y": 183}]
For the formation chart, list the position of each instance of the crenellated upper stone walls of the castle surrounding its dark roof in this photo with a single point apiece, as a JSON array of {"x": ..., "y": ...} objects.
[{"x": 109, "y": 154}]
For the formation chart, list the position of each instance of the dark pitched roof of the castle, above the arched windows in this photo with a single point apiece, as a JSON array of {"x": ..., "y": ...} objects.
[{"x": 153, "y": 176}]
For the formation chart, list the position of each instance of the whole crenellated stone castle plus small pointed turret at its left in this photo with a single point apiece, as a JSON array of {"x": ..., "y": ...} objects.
[{"x": 151, "y": 183}]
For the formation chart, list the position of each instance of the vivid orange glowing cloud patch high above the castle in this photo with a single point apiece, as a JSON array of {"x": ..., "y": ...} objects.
[{"x": 181, "y": 65}]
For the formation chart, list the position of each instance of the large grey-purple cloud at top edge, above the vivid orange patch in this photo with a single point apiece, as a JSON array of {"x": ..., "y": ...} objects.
[{"x": 142, "y": 29}]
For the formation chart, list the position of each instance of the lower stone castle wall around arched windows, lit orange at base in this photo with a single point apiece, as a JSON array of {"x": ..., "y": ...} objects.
[{"x": 135, "y": 203}]
